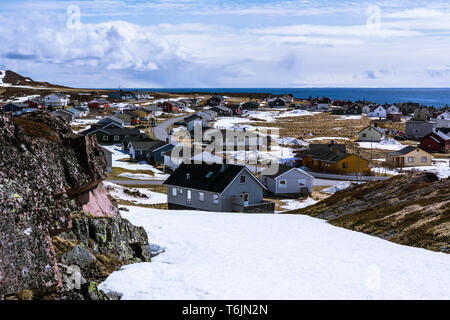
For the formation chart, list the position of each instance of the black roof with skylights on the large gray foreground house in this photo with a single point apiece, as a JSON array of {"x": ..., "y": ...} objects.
[{"x": 204, "y": 177}]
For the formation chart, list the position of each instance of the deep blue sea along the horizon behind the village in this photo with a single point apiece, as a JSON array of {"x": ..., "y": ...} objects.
[{"x": 438, "y": 97}]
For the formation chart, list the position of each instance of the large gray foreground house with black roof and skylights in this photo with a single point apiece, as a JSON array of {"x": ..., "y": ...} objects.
[{"x": 216, "y": 187}]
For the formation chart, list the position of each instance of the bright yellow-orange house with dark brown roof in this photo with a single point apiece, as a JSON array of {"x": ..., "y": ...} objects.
[{"x": 333, "y": 158}]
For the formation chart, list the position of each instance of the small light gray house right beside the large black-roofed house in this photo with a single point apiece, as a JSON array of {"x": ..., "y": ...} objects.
[{"x": 288, "y": 181}]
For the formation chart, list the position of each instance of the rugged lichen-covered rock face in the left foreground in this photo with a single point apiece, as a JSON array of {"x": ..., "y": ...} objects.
[{"x": 48, "y": 174}]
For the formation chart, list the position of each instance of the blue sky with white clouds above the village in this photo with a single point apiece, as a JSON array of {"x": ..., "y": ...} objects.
[{"x": 228, "y": 44}]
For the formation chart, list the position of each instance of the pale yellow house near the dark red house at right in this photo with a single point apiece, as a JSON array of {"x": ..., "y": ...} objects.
[{"x": 409, "y": 157}]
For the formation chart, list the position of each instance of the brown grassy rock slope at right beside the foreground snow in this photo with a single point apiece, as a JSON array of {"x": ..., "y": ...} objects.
[{"x": 411, "y": 209}]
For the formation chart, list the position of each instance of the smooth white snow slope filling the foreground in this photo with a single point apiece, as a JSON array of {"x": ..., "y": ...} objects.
[{"x": 237, "y": 256}]
